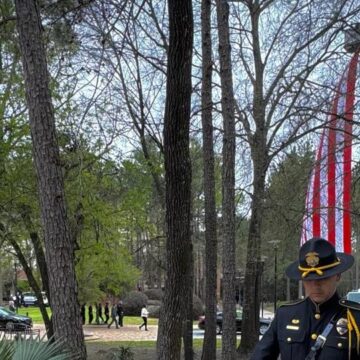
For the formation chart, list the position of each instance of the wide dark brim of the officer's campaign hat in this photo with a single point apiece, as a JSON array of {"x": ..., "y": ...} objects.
[{"x": 346, "y": 261}]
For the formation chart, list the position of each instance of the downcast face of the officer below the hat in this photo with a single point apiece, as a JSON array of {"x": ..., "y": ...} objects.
[{"x": 321, "y": 290}]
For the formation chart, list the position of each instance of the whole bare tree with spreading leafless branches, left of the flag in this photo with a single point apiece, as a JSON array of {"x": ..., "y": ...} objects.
[{"x": 285, "y": 54}]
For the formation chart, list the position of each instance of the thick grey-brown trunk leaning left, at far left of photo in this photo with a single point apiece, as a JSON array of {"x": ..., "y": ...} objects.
[{"x": 58, "y": 241}]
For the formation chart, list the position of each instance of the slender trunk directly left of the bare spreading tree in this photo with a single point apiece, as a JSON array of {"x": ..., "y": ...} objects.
[{"x": 228, "y": 184}]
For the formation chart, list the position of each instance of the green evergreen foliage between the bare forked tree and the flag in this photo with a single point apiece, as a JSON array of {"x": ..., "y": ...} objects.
[{"x": 283, "y": 214}]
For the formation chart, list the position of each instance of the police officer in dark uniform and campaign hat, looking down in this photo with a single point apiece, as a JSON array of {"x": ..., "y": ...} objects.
[{"x": 322, "y": 326}]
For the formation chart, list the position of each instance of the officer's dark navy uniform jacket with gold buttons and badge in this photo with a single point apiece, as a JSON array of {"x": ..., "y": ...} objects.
[{"x": 296, "y": 327}]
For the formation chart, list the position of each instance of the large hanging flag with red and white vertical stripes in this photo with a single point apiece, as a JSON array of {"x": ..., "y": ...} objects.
[{"x": 328, "y": 200}]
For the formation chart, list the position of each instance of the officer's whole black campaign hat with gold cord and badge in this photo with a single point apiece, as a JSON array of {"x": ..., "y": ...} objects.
[{"x": 318, "y": 260}]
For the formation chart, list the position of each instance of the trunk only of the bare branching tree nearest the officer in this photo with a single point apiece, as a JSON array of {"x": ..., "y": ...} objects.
[{"x": 260, "y": 158}]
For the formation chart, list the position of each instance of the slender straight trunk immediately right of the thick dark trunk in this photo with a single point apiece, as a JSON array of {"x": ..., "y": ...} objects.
[{"x": 209, "y": 345}]
